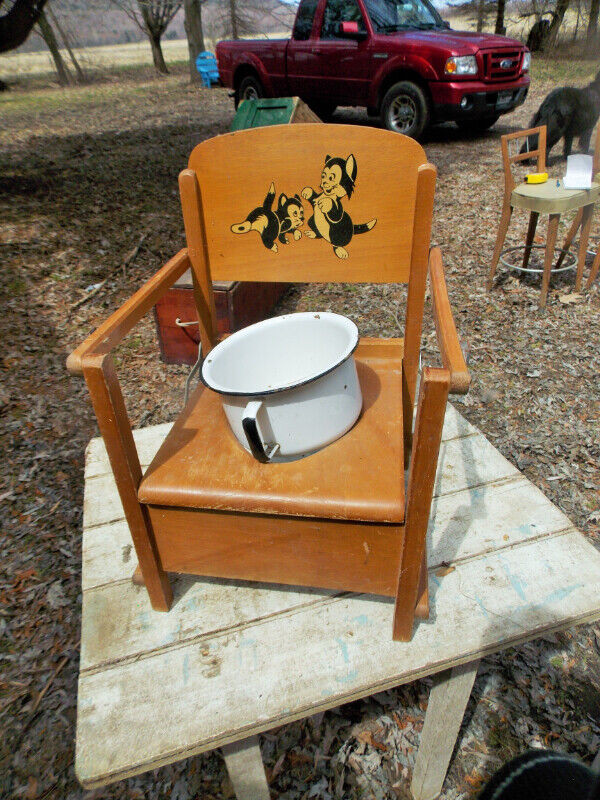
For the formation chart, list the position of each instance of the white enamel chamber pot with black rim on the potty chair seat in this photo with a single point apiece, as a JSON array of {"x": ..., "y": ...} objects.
[{"x": 288, "y": 384}]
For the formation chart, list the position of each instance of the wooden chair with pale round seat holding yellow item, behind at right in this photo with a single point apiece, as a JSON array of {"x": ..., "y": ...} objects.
[{"x": 543, "y": 198}]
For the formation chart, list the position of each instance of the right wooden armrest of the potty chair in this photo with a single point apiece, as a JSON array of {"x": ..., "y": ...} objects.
[{"x": 452, "y": 357}]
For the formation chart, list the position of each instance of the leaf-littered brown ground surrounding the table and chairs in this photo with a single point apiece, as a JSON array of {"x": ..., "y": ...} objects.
[{"x": 84, "y": 173}]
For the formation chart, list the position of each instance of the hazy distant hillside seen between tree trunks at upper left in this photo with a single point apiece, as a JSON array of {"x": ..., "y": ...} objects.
[{"x": 97, "y": 22}]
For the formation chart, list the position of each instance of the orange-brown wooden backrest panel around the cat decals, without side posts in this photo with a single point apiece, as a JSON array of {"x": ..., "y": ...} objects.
[{"x": 236, "y": 170}]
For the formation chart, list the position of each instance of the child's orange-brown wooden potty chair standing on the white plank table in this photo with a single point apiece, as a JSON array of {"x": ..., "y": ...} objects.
[{"x": 338, "y": 519}]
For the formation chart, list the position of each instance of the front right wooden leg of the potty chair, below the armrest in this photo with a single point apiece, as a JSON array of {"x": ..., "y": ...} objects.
[{"x": 433, "y": 395}]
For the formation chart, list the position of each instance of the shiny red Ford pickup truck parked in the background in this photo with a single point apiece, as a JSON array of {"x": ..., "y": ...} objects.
[{"x": 398, "y": 58}]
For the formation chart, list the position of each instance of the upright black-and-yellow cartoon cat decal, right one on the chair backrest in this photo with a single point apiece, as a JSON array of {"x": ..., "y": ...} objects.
[{"x": 329, "y": 220}]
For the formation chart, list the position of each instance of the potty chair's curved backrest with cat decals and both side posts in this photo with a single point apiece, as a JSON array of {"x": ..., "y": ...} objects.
[{"x": 309, "y": 203}]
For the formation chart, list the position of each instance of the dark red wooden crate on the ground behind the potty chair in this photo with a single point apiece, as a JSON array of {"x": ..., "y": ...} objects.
[{"x": 237, "y": 303}]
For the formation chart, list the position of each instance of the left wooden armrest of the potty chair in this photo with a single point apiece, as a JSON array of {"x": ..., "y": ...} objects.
[{"x": 122, "y": 321}]
